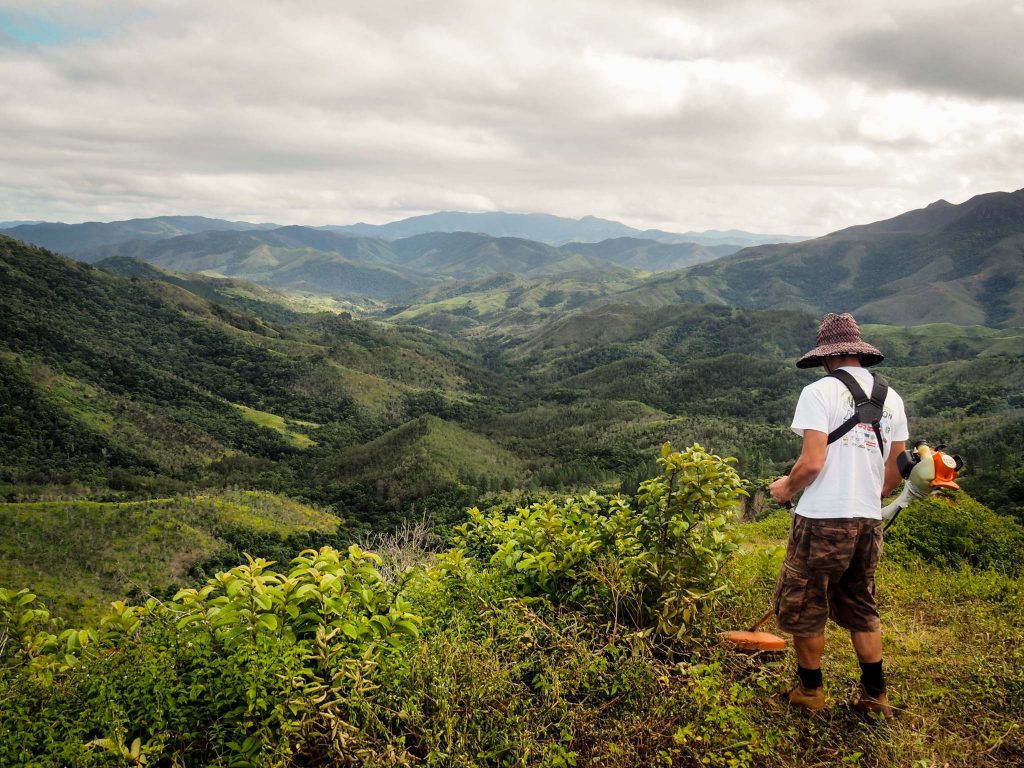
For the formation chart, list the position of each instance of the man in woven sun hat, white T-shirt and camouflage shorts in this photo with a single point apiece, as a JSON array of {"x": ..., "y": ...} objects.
[{"x": 836, "y": 538}]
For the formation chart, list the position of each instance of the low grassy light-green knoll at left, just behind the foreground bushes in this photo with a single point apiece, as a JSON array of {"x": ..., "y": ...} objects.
[{"x": 78, "y": 557}]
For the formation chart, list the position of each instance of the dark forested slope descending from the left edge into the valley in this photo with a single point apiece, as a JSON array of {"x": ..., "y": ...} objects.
[{"x": 137, "y": 385}]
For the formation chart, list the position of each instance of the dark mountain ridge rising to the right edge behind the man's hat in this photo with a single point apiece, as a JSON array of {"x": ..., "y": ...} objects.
[{"x": 946, "y": 264}]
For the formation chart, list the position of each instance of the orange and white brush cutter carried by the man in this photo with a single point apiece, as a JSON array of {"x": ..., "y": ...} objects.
[{"x": 926, "y": 472}]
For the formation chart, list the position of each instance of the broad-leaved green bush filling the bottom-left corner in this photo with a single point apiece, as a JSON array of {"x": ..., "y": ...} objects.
[{"x": 257, "y": 668}]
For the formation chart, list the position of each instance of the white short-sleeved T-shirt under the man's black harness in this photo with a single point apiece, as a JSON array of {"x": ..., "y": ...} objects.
[{"x": 850, "y": 483}]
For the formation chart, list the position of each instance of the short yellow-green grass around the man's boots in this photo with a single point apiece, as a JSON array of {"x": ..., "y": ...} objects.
[{"x": 957, "y": 697}]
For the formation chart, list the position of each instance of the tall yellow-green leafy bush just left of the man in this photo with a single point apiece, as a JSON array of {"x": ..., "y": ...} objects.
[{"x": 648, "y": 565}]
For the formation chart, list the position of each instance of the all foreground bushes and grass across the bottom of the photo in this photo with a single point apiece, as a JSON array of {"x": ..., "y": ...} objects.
[{"x": 468, "y": 661}]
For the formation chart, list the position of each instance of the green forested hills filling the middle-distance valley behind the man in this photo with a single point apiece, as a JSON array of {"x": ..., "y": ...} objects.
[{"x": 155, "y": 375}]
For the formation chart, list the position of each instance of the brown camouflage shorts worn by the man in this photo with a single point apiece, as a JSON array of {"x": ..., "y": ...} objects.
[{"x": 829, "y": 572}]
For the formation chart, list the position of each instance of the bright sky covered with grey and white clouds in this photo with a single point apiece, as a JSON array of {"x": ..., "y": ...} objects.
[{"x": 800, "y": 117}]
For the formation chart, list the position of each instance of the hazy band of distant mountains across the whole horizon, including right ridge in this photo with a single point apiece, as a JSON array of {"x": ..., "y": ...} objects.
[{"x": 959, "y": 264}]
